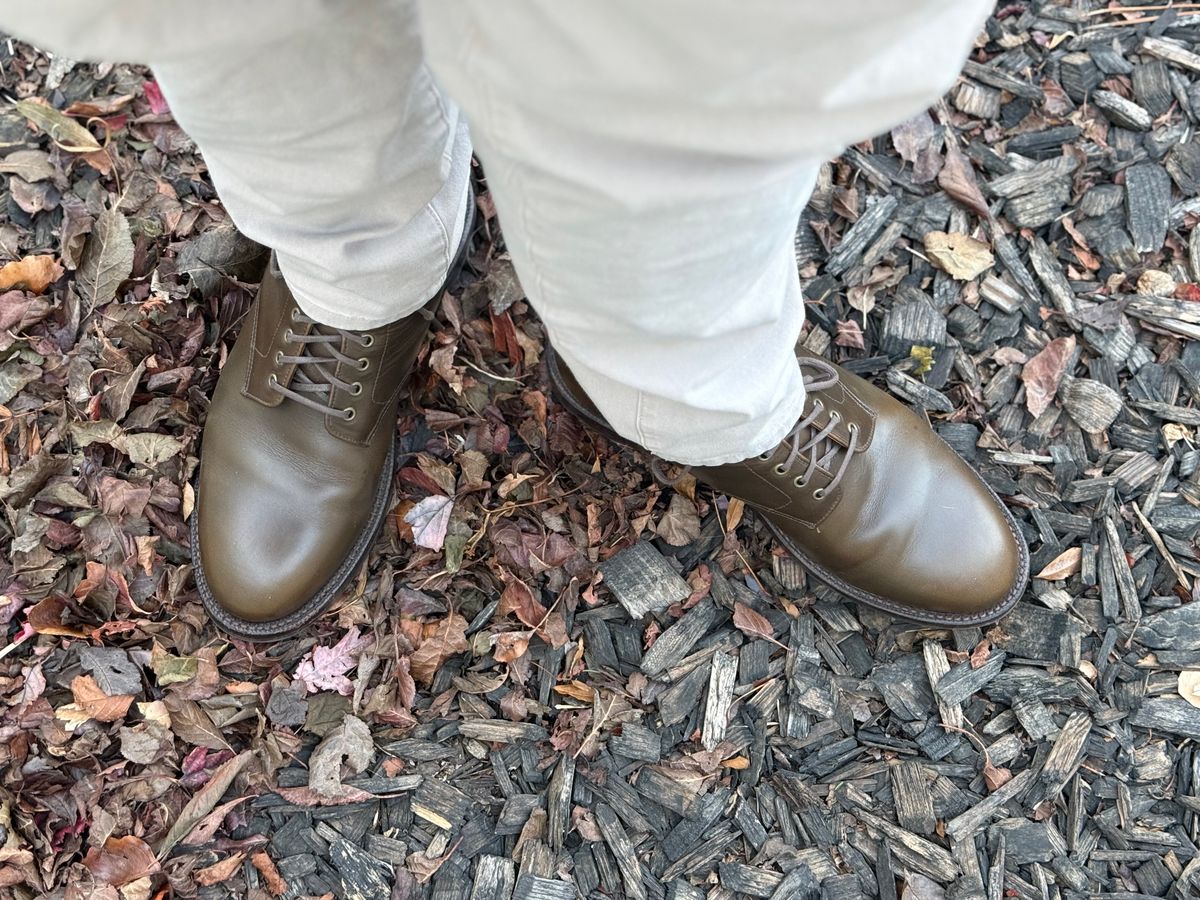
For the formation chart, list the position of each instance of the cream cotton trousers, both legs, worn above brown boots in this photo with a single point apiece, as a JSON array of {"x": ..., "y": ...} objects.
[{"x": 650, "y": 161}]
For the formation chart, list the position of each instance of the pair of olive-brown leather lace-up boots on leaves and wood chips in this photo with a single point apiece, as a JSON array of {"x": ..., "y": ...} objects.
[{"x": 298, "y": 463}]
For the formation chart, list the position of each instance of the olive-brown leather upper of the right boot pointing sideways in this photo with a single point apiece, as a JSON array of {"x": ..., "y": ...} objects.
[{"x": 910, "y": 527}]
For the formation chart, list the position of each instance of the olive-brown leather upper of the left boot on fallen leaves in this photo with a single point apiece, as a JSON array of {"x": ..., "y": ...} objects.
[{"x": 287, "y": 491}]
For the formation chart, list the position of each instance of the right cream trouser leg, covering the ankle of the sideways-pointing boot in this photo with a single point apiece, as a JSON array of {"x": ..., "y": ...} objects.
[{"x": 650, "y": 164}]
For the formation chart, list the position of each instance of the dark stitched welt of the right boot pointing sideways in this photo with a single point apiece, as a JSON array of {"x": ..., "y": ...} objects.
[{"x": 865, "y": 597}]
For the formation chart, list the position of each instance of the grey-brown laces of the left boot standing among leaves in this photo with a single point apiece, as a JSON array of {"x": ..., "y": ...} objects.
[{"x": 315, "y": 381}]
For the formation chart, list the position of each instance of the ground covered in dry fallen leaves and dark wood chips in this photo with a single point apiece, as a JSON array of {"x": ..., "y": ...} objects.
[{"x": 557, "y": 677}]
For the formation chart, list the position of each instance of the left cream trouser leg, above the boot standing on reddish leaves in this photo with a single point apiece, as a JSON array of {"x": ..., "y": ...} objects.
[{"x": 323, "y": 129}]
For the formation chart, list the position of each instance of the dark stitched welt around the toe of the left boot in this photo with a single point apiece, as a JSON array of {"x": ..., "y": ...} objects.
[{"x": 286, "y": 626}]
